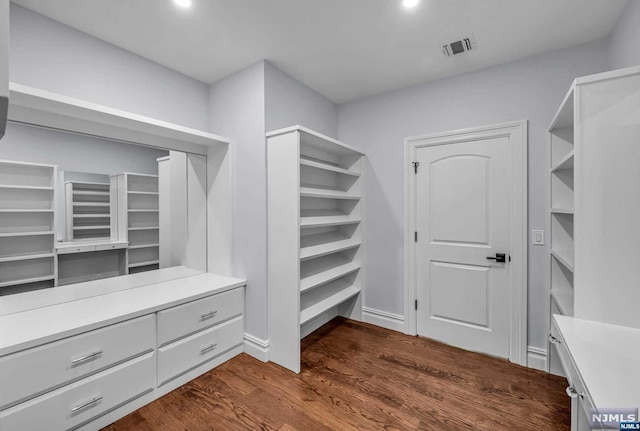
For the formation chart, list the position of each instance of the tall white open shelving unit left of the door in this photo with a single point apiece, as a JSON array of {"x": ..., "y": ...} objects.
[{"x": 315, "y": 237}]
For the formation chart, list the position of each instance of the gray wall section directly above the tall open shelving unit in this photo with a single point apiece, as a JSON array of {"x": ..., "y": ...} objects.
[{"x": 289, "y": 103}]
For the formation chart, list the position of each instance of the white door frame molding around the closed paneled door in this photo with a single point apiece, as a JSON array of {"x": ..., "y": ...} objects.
[{"x": 517, "y": 131}]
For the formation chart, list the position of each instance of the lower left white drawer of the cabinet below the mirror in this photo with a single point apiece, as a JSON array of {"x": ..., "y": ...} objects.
[{"x": 78, "y": 403}]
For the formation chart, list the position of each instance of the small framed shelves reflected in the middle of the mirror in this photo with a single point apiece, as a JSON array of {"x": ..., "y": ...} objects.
[{"x": 88, "y": 211}]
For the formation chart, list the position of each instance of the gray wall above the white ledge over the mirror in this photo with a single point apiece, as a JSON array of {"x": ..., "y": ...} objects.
[{"x": 51, "y": 56}]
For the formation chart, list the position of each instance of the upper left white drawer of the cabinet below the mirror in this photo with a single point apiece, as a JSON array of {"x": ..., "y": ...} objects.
[{"x": 31, "y": 372}]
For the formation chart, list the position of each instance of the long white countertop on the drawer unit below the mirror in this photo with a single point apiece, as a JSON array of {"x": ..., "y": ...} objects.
[{"x": 26, "y": 329}]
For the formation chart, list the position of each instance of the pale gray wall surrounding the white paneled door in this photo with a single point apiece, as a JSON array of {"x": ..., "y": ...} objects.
[{"x": 530, "y": 89}]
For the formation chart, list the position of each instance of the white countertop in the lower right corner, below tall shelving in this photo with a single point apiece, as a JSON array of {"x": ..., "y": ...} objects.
[{"x": 608, "y": 359}]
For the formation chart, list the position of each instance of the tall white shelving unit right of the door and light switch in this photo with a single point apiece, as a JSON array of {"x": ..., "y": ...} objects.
[{"x": 593, "y": 159}]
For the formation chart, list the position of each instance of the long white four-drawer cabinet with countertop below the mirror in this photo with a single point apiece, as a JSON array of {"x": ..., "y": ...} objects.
[{"x": 88, "y": 362}]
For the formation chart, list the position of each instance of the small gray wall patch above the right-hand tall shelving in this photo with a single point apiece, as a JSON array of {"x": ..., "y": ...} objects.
[{"x": 624, "y": 48}]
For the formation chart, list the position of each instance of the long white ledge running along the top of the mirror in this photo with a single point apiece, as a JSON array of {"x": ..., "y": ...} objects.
[{"x": 42, "y": 108}]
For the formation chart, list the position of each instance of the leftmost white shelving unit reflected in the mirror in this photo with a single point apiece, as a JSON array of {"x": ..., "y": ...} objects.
[{"x": 27, "y": 226}]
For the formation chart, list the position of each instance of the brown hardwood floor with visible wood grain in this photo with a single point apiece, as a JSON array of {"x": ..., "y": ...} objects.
[{"x": 357, "y": 376}]
